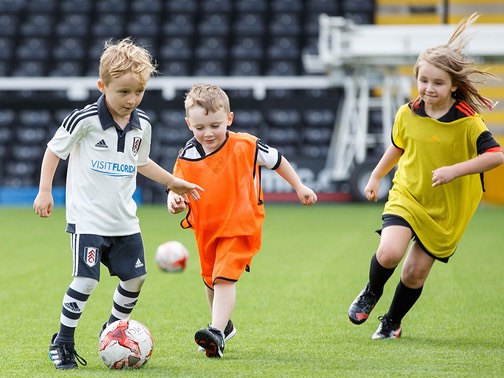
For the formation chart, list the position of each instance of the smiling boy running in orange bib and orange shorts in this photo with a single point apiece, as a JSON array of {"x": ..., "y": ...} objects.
[{"x": 228, "y": 222}]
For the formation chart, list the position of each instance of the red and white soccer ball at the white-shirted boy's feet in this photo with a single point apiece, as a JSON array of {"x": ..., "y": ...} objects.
[{"x": 125, "y": 344}]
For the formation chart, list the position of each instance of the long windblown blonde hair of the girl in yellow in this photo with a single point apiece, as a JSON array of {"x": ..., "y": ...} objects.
[{"x": 450, "y": 58}]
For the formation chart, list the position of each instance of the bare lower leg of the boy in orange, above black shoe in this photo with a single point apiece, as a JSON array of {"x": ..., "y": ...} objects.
[{"x": 224, "y": 299}]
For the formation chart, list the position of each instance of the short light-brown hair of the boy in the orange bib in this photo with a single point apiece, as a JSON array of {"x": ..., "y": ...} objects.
[{"x": 208, "y": 96}]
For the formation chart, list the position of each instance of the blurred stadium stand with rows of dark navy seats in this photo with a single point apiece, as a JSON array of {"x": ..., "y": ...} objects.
[{"x": 189, "y": 38}]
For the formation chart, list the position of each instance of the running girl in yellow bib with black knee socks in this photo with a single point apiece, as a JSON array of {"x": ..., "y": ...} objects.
[{"x": 441, "y": 148}]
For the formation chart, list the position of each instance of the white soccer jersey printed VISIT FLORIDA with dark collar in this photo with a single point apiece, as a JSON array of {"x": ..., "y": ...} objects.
[{"x": 102, "y": 169}]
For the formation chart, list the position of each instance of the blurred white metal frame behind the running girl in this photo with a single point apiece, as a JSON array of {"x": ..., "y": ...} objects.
[{"x": 359, "y": 58}]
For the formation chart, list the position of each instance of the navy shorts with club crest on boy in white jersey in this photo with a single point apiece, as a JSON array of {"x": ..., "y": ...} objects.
[{"x": 122, "y": 255}]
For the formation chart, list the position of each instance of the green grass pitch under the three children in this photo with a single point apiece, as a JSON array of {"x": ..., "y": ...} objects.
[{"x": 291, "y": 311}]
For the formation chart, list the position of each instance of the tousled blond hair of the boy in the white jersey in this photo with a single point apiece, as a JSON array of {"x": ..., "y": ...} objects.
[{"x": 123, "y": 57}]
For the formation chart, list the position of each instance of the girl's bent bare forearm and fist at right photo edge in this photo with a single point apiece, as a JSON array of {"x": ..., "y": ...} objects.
[{"x": 480, "y": 163}]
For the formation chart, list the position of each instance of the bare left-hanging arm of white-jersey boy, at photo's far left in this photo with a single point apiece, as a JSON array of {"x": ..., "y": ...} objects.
[{"x": 44, "y": 202}]
